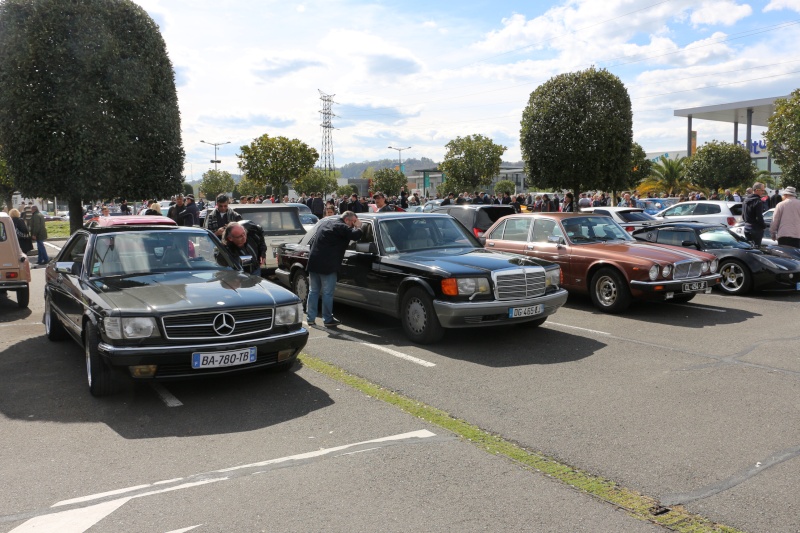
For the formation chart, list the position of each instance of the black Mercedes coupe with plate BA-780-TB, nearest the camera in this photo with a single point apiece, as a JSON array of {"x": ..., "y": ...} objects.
[{"x": 166, "y": 302}]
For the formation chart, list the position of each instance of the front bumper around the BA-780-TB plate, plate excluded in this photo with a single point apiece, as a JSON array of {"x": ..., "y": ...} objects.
[{"x": 175, "y": 361}]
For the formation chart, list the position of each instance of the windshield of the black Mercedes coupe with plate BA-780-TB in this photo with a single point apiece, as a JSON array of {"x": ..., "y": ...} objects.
[{"x": 143, "y": 252}]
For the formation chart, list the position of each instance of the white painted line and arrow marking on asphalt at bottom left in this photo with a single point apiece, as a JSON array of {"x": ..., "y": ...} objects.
[{"x": 81, "y": 519}]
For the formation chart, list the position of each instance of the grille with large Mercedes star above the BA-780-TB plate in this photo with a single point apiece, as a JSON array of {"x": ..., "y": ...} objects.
[{"x": 211, "y": 325}]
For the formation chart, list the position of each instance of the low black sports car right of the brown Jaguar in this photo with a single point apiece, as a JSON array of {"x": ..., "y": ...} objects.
[{"x": 742, "y": 266}]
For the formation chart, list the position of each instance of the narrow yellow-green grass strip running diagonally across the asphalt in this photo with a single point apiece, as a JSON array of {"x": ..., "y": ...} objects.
[{"x": 637, "y": 505}]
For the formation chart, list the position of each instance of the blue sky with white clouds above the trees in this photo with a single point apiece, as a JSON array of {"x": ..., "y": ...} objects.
[{"x": 419, "y": 73}]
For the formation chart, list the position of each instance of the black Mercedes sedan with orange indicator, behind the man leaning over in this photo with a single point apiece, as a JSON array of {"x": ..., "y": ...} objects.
[{"x": 430, "y": 272}]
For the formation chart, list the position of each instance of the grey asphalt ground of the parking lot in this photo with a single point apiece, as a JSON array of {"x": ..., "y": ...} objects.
[{"x": 693, "y": 404}]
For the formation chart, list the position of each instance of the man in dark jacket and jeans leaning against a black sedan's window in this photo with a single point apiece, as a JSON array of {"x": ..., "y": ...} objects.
[{"x": 324, "y": 259}]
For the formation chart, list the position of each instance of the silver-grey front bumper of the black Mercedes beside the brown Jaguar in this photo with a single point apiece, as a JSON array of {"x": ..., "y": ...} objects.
[{"x": 492, "y": 313}]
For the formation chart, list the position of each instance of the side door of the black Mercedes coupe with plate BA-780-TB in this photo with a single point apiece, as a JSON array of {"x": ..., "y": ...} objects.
[{"x": 65, "y": 288}]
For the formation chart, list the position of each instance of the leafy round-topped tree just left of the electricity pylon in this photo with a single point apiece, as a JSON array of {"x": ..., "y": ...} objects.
[{"x": 276, "y": 161}]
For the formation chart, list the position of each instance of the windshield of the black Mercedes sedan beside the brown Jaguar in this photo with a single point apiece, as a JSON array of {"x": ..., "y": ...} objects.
[{"x": 411, "y": 234}]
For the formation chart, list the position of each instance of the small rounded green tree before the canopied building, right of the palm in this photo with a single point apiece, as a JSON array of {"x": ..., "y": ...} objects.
[{"x": 720, "y": 164}]
